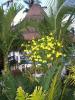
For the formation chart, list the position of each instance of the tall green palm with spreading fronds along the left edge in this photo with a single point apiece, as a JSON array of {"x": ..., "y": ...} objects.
[{"x": 8, "y": 33}]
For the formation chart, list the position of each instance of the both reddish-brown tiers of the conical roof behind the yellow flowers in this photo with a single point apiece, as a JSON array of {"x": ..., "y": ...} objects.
[{"x": 35, "y": 13}]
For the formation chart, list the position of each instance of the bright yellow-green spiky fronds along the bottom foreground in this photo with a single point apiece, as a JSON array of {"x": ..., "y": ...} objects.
[{"x": 53, "y": 93}]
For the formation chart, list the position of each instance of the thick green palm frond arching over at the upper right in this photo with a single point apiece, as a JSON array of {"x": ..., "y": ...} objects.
[{"x": 59, "y": 17}]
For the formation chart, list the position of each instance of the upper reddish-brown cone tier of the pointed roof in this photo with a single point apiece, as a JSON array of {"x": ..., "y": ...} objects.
[{"x": 35, "y": 13}]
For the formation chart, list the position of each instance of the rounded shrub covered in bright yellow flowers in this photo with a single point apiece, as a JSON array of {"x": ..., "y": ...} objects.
[{"x": 44, "y": 50}]
